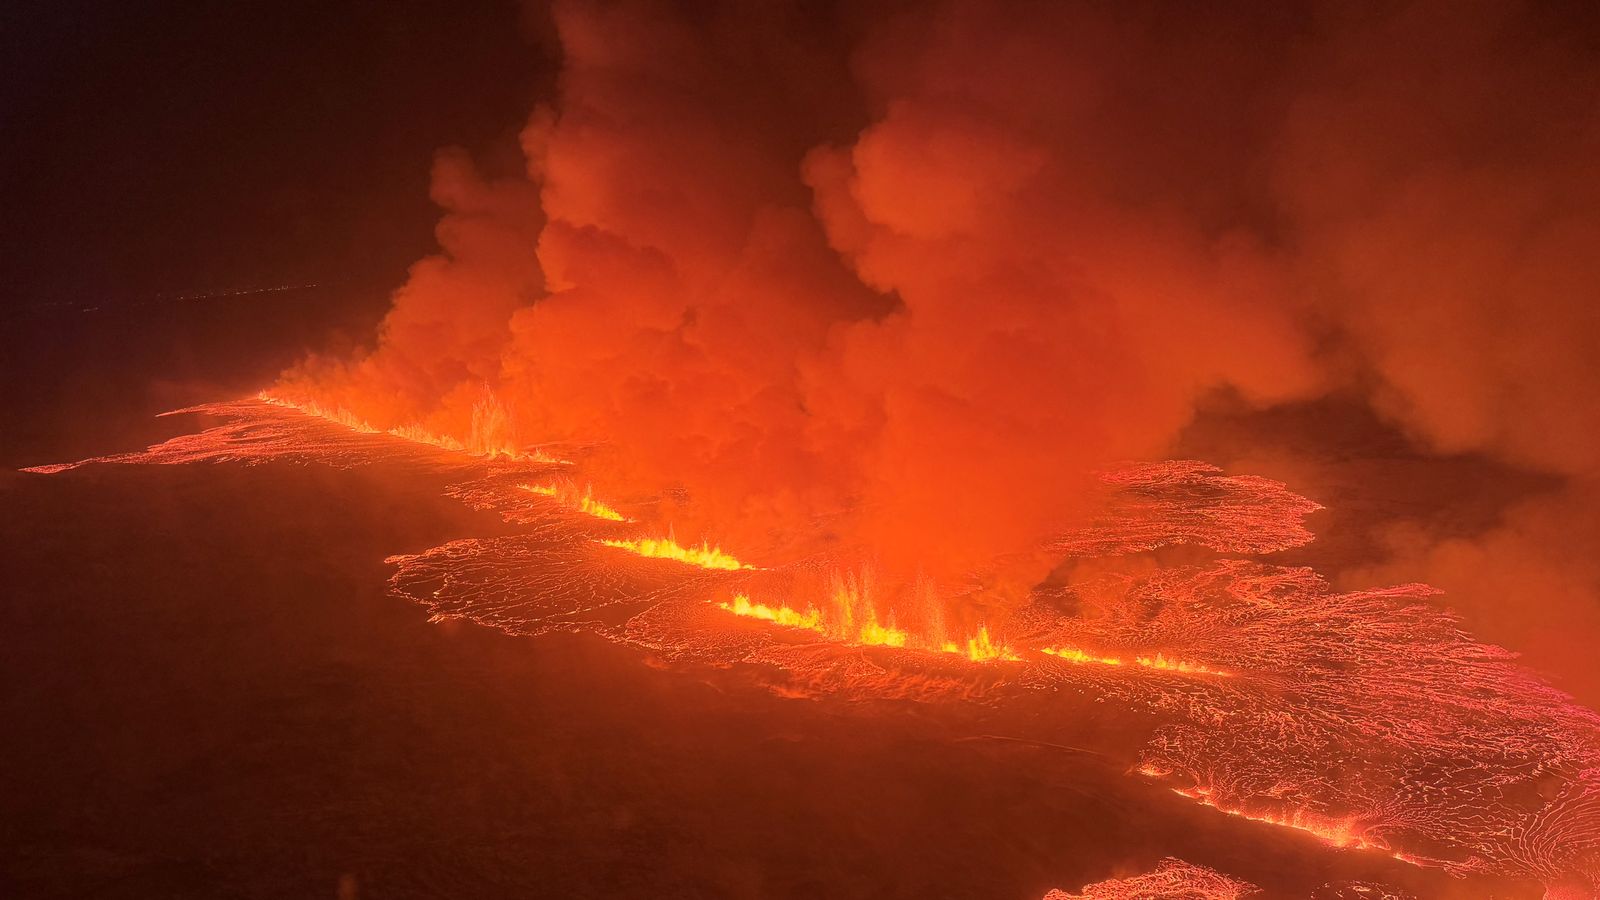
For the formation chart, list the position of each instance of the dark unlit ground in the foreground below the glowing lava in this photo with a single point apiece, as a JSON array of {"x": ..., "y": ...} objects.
[{"x": 209, "y": 693}]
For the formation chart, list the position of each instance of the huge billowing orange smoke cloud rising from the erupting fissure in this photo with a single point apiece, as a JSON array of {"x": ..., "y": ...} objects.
[{"x": 889, "y": 281}]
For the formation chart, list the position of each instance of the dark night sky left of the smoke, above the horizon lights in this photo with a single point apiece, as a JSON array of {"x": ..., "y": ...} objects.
[{"x": 172, "y": 148}]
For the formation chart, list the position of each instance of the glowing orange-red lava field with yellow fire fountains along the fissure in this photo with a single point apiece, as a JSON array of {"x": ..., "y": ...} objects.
[{"x": 1428, "y": 745}]
